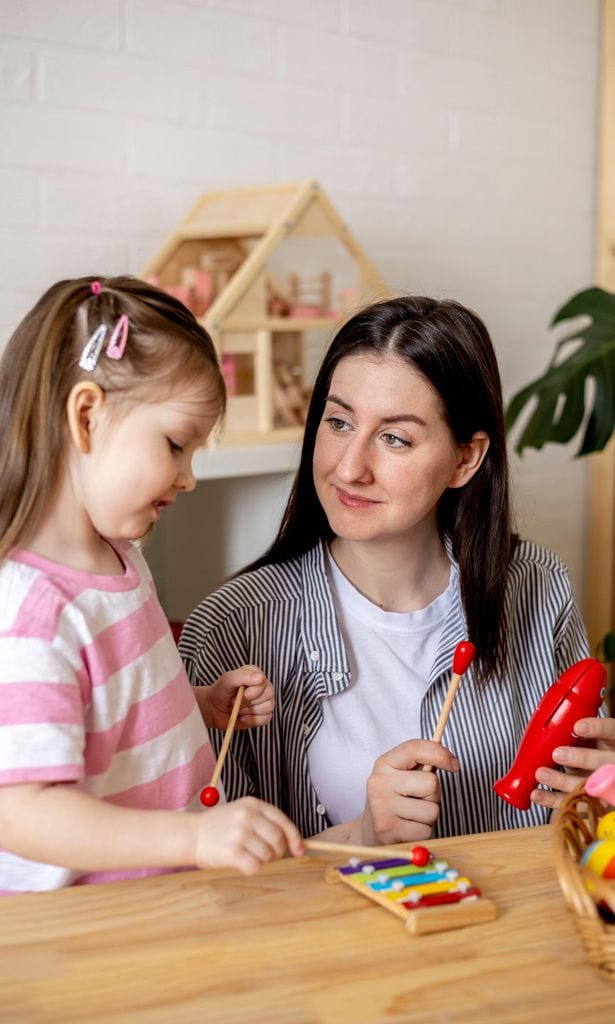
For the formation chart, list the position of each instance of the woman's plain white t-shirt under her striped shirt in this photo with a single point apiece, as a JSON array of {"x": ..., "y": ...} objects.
[{"x": 392, "y": 654}]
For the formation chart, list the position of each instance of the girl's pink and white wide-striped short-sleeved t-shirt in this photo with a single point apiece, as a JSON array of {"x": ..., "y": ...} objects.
[{"x": 94, "y": 692}]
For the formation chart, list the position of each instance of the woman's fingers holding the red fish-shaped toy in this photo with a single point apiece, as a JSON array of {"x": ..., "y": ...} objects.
[{"x": 580, "y": 761}]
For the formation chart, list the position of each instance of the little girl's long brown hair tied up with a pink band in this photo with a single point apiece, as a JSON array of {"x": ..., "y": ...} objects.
[{"x": 40, "y": 366}]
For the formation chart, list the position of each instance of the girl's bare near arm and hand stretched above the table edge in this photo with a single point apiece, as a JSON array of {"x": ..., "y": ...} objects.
[{"x": 60, "y": 825}]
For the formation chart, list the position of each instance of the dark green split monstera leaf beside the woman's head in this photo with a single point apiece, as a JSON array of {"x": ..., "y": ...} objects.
[{"x": 560, "y": 411}]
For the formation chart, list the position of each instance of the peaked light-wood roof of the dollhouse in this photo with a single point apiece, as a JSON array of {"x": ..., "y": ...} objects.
[{"x": 255, "y": 222}]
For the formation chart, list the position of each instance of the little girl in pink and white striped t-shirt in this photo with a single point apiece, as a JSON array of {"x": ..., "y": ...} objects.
[{"x": 107, "y": 391}]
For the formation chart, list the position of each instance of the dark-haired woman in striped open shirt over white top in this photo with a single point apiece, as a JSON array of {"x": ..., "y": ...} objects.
[{"x": 397, "y": 544}]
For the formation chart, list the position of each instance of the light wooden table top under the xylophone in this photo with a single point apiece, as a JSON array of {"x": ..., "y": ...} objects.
[{"x": 286, "y": 948}]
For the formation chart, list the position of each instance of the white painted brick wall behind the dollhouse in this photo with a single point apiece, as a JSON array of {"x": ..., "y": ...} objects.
[{"x": 457, "y": 138}]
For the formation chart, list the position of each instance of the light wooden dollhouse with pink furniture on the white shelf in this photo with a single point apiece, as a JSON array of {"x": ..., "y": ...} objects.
[{"x": 234, "y": 262}]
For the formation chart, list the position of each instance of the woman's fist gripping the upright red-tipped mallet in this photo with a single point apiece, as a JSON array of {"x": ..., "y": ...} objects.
[{"x": 404, "y": 801}]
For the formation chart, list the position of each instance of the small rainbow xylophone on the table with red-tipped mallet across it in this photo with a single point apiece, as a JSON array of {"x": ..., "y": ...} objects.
[{"x": 427, "y": 892}]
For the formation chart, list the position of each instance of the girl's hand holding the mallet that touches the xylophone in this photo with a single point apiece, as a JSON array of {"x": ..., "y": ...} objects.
[{"x": 245, "y": 834}]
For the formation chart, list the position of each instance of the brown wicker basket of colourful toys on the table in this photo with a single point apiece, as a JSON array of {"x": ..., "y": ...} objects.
[{"x": 575, "y": 830}]
